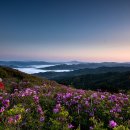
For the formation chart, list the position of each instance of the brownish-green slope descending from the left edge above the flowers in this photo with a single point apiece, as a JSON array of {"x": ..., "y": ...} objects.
[{"x": 12, "y": 78}]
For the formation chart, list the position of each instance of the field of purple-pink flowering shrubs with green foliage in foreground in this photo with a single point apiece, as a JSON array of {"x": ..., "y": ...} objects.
[{"x": 63, "y": 108}]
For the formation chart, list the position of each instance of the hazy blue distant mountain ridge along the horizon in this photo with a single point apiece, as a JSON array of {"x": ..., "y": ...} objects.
[{"x": 70, "y": 63}]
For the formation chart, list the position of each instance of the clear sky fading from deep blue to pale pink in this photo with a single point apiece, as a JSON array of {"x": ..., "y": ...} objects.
[{"x": 65, "y": 30}]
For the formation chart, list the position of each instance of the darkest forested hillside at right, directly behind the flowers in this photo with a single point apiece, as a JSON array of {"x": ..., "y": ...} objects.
[{"x": 110, "y": 81}]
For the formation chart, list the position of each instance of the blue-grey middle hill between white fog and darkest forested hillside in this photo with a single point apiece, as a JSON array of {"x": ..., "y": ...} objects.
[{"x": 61, "y": 75}]
